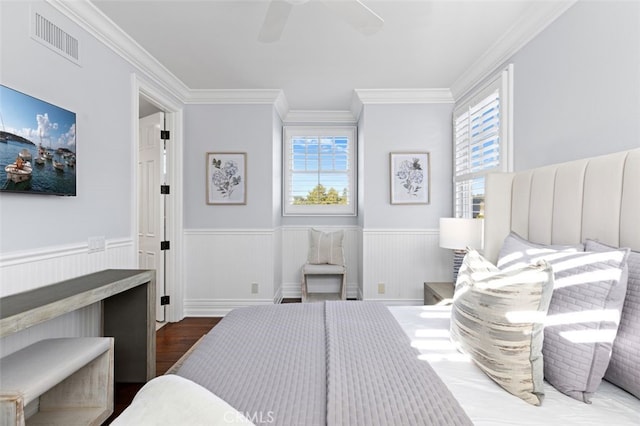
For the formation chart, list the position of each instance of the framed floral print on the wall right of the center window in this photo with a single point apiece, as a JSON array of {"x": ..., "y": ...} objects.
[{"x": 410, "y": 177}]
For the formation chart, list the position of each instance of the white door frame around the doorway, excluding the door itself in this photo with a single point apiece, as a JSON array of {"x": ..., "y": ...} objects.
[{"x": 173, "y": 110}]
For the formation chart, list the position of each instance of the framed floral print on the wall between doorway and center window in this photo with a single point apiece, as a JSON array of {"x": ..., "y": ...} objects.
[{"x": 226, "y": 178}]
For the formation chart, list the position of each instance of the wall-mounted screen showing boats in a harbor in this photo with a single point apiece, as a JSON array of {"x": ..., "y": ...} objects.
[{"x": 37, "y": 145}]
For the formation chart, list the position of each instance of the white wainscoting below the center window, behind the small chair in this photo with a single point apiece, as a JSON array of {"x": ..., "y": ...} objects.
[{"x": 295, "y": 244}]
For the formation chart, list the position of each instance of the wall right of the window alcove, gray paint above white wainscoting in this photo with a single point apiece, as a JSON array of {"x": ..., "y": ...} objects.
[{"x": 400, "y": 242}]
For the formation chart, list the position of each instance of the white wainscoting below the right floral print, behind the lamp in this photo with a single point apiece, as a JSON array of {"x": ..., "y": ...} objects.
[{"x": 402, "y": 260}]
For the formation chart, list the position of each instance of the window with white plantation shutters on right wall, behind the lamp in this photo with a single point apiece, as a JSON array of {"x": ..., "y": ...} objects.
[{"x": 482, "y": 138}]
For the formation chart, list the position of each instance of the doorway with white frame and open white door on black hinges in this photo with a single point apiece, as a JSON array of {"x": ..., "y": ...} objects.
[{"x": 163, "y": 211}]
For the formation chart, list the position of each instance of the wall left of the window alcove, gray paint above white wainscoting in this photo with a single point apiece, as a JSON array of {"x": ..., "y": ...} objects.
[{"x": 227, "y": 248}]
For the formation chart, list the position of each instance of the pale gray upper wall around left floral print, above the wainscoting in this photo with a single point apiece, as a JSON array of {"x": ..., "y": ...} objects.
[{"x": 229, "y": 128}]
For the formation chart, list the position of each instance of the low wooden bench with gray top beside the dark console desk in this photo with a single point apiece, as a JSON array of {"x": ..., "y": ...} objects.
[{"x": 63, "y": 381}]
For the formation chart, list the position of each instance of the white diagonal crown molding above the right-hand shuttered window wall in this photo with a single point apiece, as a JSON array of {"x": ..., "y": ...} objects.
[{"x": 539, "y": 17}]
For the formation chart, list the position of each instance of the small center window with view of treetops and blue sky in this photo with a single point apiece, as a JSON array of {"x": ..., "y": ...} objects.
[{"x": 319, "y": 176}]
